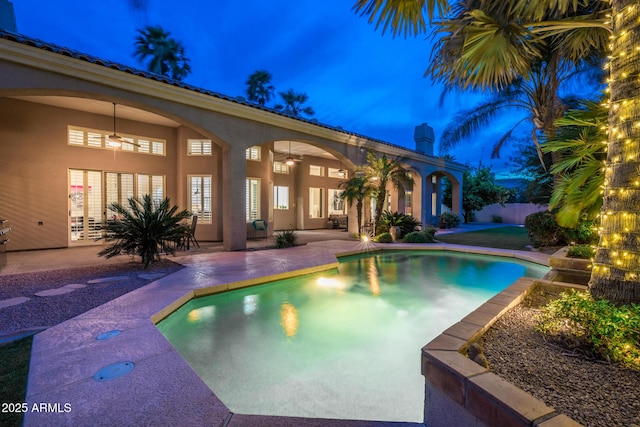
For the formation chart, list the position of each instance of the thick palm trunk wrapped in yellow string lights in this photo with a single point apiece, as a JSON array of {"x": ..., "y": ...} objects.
[{"x": 616, "y": 267}]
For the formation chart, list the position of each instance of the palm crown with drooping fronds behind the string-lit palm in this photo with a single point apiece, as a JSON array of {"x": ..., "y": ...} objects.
[{"x": 534, "y": 94}]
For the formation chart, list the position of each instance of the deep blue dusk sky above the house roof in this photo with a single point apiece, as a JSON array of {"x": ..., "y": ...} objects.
[{"x": 354, "y": 76}]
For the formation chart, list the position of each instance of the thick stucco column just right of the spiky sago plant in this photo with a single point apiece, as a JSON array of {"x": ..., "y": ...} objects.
[{"x": 234, "y": 175}]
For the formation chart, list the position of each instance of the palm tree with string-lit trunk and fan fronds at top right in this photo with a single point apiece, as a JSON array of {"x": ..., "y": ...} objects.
[{"x": 491, "y": 53}]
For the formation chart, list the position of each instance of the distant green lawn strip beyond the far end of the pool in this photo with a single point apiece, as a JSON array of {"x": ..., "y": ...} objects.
[{"x": 507, "y": 237}]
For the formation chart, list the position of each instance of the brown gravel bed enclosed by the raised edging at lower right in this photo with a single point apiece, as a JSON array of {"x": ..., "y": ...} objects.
[{"x": 593, "y": 393}]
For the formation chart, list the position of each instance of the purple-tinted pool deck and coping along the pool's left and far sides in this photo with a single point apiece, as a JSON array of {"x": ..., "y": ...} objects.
[{"x": 162, "y": 388}]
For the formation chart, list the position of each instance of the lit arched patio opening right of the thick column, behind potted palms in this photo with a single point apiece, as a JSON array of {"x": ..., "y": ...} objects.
[{"x": 299, "y": 187}]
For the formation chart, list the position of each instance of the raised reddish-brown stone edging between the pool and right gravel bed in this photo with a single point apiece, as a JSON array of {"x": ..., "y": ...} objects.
[{"x": 470, "y": 388}]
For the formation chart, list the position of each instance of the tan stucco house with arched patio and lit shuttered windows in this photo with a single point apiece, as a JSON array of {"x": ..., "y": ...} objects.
[{"x": 222, "y": 158}]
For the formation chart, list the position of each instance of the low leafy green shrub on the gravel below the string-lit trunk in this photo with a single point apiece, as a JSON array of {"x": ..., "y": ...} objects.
[{"x": 612, "y": 332}]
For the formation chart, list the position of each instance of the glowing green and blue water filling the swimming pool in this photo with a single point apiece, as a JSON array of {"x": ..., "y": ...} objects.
[{"x": 339, "y": 344}]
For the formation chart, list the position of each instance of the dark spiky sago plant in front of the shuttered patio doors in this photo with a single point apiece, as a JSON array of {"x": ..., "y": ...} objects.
[{"x": 145, "y": 228}]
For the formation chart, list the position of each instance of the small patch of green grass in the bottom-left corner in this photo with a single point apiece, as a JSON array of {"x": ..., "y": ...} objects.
[{"x": 13, "y": 377}]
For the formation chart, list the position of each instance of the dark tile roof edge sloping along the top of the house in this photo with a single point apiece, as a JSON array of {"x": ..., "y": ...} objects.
[{"x": 40, "y": 44}]
